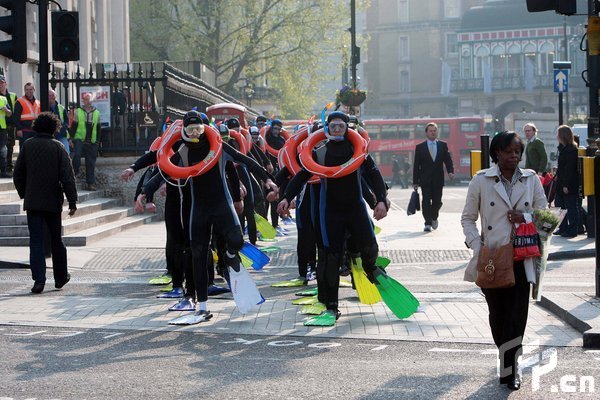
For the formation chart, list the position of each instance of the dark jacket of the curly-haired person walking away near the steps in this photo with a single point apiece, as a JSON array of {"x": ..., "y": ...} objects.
[{"x": 42, "y": 173}]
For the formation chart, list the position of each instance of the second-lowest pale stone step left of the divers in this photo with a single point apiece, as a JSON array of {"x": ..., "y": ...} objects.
[{"x": 74, "y": 224}]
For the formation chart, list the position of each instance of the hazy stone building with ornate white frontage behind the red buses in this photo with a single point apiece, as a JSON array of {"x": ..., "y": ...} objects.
[{"x": 468, "y": 58}]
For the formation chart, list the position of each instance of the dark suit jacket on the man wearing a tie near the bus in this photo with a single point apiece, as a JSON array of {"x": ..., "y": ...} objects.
[{"x": 427, "y": 172}]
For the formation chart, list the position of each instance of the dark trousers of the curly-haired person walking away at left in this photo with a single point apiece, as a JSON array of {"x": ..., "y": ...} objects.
[{"x": 35, "y": 222}]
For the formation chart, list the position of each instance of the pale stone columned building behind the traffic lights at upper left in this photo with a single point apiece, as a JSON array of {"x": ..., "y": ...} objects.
[{"x": 103, "y": 38}]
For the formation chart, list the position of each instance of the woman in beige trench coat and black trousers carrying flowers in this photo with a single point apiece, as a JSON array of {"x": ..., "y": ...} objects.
[{"x": 502, "y": 196}]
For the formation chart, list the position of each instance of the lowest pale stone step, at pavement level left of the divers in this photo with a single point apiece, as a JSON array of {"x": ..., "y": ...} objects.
[{"x": 87, "y": 236}]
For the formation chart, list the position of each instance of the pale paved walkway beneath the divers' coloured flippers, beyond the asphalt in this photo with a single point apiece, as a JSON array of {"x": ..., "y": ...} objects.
[{"x": 128, "y": 259}]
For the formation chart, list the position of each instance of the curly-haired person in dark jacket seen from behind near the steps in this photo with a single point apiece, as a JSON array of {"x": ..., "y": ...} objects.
[{"x": 42, "y": 173}]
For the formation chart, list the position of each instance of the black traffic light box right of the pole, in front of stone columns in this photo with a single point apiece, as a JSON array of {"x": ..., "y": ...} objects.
[{"x": 65, "y": 36}]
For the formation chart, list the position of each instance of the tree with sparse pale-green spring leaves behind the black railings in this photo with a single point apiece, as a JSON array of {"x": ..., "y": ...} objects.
[{"x": 281, "y": 44}]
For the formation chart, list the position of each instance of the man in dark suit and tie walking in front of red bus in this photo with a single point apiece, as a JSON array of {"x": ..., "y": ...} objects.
[{"x": 428, "y": 172}]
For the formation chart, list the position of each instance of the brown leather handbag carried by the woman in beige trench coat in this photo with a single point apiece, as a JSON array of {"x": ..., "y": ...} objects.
[{"x": 495, "y": 267}]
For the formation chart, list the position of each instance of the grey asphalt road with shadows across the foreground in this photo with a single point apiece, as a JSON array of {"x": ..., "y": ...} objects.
[{"x": 46, "y": 363}]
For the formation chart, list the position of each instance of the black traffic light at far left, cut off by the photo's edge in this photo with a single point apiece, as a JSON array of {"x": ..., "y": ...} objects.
[{"x": 15, "y": 25}]
